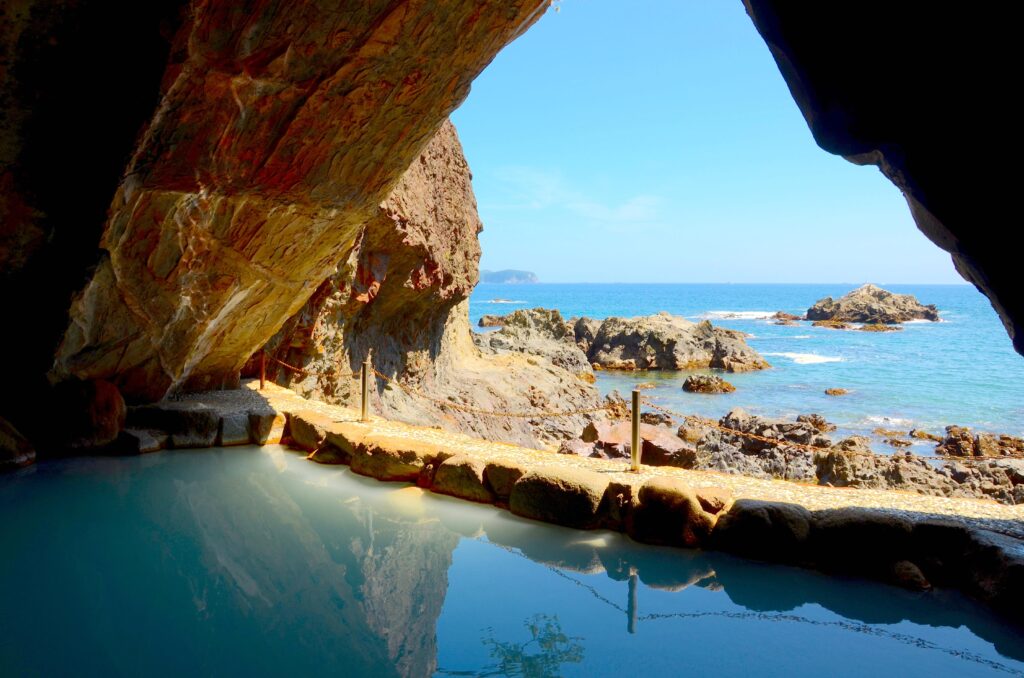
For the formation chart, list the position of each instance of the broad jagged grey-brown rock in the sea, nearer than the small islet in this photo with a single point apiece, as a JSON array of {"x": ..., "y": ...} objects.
[{"x": 667, "y": 343}]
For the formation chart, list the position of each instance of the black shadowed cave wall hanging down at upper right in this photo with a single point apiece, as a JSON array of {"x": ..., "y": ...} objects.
[{"x": 923, "y": 92}]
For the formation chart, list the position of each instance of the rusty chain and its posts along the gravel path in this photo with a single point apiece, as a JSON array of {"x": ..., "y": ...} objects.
[{"x": 615, "y": 410}]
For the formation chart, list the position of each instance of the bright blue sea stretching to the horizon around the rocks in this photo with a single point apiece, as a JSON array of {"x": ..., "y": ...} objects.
[{"x": 961, "y": 371}]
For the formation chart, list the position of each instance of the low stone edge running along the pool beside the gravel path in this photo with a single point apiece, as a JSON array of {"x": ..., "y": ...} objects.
[{"x": 916, "y": 552}]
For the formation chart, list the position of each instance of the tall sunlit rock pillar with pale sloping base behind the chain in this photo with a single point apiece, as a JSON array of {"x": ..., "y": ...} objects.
[{"x": 402, "y": 295}]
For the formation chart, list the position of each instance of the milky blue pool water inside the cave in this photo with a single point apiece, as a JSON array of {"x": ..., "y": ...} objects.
[{"x": 255, "y": 562}]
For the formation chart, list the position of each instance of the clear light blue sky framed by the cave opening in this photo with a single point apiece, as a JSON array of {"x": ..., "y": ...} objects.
[{"x": 657, "y": 142}]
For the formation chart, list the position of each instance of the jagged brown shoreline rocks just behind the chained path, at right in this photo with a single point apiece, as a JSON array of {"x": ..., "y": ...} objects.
[{"x": 850, "y": 462}]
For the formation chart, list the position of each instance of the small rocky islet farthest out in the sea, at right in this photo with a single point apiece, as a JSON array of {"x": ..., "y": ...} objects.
[{"x": 872, "y": 306}]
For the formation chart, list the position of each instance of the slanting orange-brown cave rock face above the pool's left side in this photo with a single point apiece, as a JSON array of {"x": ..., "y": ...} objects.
[{"x": 281, "y": 129}]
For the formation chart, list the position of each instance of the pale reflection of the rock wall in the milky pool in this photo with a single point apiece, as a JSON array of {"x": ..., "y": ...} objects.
[{"x": 361, "y": 588}]
